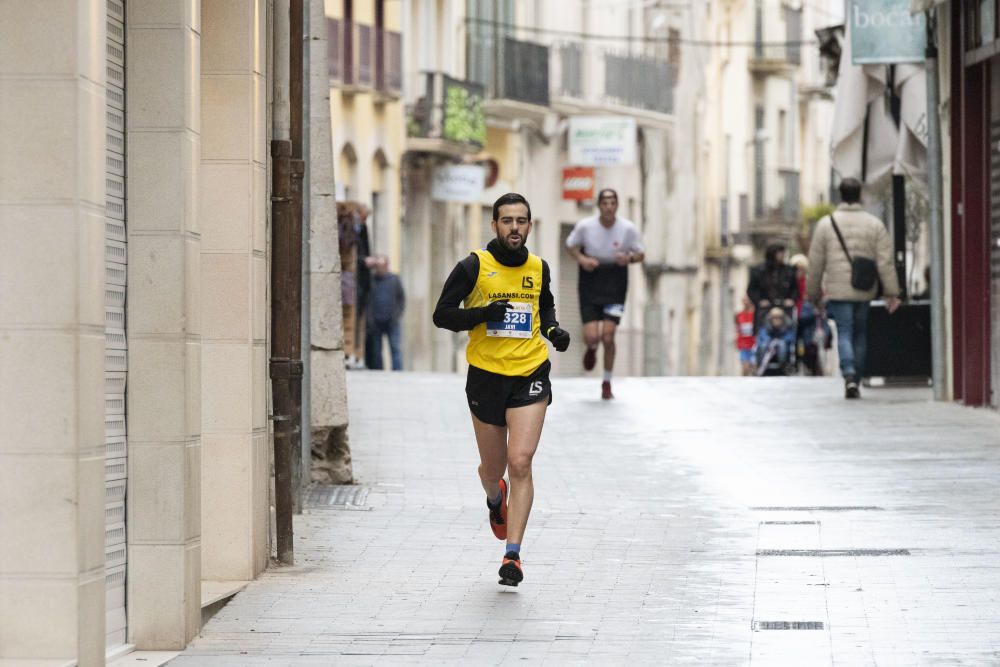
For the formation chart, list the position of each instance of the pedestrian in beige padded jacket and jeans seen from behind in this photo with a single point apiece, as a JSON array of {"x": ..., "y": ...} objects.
[{"x": 830, "y": 270}]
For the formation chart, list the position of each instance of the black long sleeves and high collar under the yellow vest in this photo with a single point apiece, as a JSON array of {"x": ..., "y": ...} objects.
[{"x": 448, "y": 314}]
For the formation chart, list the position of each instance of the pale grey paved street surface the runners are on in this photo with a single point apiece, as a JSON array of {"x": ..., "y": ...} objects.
[{"x": 692, "y": 520}]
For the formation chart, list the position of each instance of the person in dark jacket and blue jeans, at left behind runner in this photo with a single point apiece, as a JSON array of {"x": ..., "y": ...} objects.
[{"x": 386, "y": 302}]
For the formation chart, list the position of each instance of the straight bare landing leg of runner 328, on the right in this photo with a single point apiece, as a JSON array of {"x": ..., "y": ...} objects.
[{"x": 524, "y": 431}]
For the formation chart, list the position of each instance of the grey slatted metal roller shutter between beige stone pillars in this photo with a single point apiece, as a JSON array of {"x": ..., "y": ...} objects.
[{"x": 115, "y": 348}]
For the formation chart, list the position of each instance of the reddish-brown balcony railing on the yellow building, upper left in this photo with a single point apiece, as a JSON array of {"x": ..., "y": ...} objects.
[{"x": 362, "y": 57}]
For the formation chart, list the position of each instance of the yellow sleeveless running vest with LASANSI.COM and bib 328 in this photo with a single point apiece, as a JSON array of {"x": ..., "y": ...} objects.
[{"x": 514, "y": 346}]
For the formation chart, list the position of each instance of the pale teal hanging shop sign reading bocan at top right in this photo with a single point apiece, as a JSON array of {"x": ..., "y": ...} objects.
[{"x": 886, "y": 31}]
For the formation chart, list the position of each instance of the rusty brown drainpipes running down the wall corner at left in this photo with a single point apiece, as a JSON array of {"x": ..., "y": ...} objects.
[{"x": 285, "y": 367}]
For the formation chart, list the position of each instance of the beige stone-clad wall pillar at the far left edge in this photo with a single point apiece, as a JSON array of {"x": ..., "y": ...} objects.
[{"x": 52, "y": 104}]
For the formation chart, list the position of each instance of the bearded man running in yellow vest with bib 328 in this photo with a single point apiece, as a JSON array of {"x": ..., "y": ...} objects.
[{"x": 508, "y": 308}]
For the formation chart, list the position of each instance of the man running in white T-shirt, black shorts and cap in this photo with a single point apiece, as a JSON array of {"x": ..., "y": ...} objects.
[{"x": 603, "y": 245}]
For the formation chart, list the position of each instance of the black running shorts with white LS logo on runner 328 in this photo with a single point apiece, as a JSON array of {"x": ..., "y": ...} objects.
[{"x": 490, "y": 394}]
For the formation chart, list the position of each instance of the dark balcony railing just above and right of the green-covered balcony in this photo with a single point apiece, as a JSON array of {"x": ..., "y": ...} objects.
[{"x": 517, "y": 70}]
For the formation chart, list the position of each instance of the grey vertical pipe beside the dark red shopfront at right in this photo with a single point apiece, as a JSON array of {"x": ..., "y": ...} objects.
[{"x": 936, "y": 223}]
